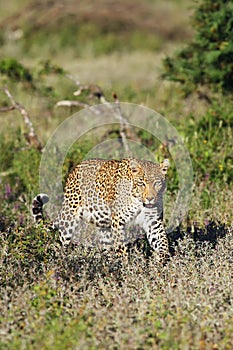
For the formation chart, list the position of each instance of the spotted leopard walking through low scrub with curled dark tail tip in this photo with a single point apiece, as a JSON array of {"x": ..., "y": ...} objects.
[{"x": 111, "y": 194}]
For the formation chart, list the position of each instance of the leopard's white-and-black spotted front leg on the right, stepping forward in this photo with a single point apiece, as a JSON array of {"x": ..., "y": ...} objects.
[{"x": 153, "y": 226}]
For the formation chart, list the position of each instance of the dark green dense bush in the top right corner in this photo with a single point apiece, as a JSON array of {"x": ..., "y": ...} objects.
[{"x": 207, "y": 60}]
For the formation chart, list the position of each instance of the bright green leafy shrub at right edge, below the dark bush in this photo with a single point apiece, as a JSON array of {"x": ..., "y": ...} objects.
[{"x": 210, "y": 144}]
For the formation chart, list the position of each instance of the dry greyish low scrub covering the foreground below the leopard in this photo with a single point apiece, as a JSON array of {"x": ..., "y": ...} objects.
[{"x": 81, "y": 300}]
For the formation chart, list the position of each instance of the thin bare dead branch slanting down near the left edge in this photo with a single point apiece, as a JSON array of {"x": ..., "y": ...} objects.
[{"x": 31, "y": 137}]
